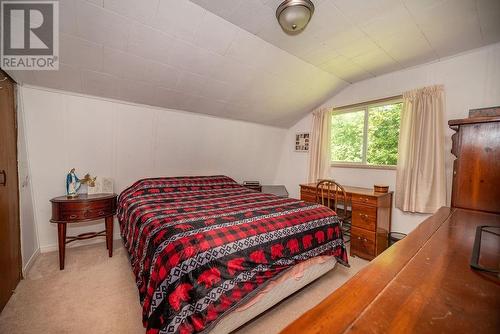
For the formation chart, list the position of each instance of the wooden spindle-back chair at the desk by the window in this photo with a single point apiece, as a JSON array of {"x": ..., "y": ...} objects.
[{"x": 331, "y": 194}]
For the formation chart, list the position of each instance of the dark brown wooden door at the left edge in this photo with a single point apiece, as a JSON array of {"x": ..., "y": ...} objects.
[{"x": 10, "y": 250}]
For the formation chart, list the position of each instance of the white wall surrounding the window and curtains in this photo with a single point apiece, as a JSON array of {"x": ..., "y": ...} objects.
[{"x": 471, "y": 80}]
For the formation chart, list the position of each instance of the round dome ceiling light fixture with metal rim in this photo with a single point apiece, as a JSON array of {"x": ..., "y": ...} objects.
[{"x": 294, "y": 15}]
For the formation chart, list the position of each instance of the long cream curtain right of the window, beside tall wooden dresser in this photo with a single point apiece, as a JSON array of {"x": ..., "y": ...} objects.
[{"x": 420, "y": 179}]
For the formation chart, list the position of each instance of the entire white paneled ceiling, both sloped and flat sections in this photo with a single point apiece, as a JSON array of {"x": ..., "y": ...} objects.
[{"x": 176, "y": 54}]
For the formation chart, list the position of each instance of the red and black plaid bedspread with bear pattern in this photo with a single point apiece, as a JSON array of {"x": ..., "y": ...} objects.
[{"x": 200, "y": 246}]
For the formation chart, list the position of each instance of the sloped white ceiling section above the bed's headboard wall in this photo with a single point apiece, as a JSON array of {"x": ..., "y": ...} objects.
[{"x": 175, "y": 54}]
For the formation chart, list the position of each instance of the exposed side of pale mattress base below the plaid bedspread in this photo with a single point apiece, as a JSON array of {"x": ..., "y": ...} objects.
[{"x": 288, "y": 284}]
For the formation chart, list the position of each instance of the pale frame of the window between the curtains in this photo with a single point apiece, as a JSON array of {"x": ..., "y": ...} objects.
[{"x": 363, "y": 107}]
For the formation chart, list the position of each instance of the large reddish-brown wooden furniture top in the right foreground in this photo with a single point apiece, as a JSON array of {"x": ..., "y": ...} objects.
[{"x": 422, "y": 284}]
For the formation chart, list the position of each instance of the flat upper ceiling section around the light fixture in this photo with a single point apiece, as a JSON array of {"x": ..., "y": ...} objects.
[{"x": 359, "y": 39}]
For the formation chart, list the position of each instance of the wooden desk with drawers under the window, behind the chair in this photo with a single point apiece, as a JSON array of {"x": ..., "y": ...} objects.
[{"x": 371, "y": 218}]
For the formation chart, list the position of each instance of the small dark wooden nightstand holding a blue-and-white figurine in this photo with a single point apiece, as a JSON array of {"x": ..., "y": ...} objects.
[{"x": 81, "y": 209}]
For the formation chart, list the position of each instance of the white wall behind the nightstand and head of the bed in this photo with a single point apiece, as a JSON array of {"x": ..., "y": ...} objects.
[{"x": 127, "y": 142}]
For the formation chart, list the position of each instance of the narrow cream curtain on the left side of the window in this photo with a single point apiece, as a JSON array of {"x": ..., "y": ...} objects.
[{"x": 319, "y": 154}]
